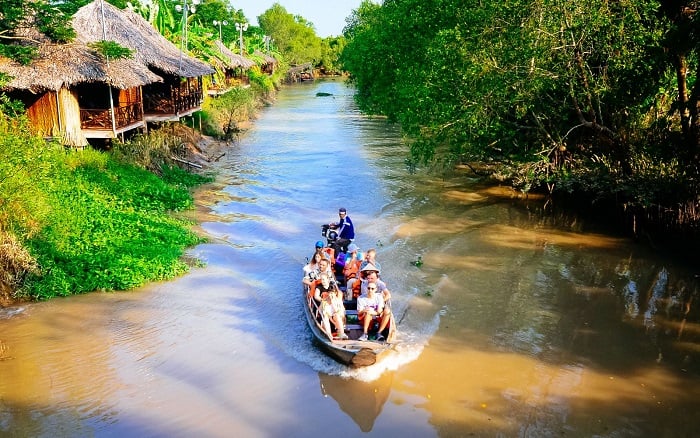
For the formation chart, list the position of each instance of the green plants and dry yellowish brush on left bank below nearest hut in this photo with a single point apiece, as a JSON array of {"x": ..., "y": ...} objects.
[{"x": 78, "y": 221}]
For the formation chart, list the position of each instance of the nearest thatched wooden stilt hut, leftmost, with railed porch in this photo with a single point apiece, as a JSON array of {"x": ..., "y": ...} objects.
[{"x": 73, "y": 93}]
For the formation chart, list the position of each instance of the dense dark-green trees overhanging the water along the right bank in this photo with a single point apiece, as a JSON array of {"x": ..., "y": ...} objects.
[{"x": 567, "y": 96}]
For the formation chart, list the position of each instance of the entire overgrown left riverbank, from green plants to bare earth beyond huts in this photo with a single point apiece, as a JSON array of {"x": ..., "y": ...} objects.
[{"x": 101, "y": 221}]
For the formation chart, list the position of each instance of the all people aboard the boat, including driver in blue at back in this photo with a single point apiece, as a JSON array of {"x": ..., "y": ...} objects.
[{"x": 360, "y": 283}]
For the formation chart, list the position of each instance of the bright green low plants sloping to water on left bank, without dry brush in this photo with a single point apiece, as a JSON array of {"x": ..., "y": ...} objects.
[{"x": 110, "y": 229}]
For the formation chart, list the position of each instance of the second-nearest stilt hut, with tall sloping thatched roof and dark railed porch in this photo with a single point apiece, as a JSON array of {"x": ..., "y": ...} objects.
[{"x": 181, "y": 92}]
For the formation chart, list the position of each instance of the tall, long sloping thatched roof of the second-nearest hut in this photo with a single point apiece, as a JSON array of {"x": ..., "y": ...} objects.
[{"x": 130, "y": 30}]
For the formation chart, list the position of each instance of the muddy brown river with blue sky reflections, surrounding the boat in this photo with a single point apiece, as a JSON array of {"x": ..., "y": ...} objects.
[{"x": 516, "y": 323}]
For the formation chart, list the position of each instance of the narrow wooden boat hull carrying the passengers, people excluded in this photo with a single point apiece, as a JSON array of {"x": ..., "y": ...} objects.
[{"x": 351, "y": 352}]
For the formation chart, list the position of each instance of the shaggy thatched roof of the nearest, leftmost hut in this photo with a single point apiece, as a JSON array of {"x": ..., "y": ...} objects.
[{"x": 61, "y": 65}]
